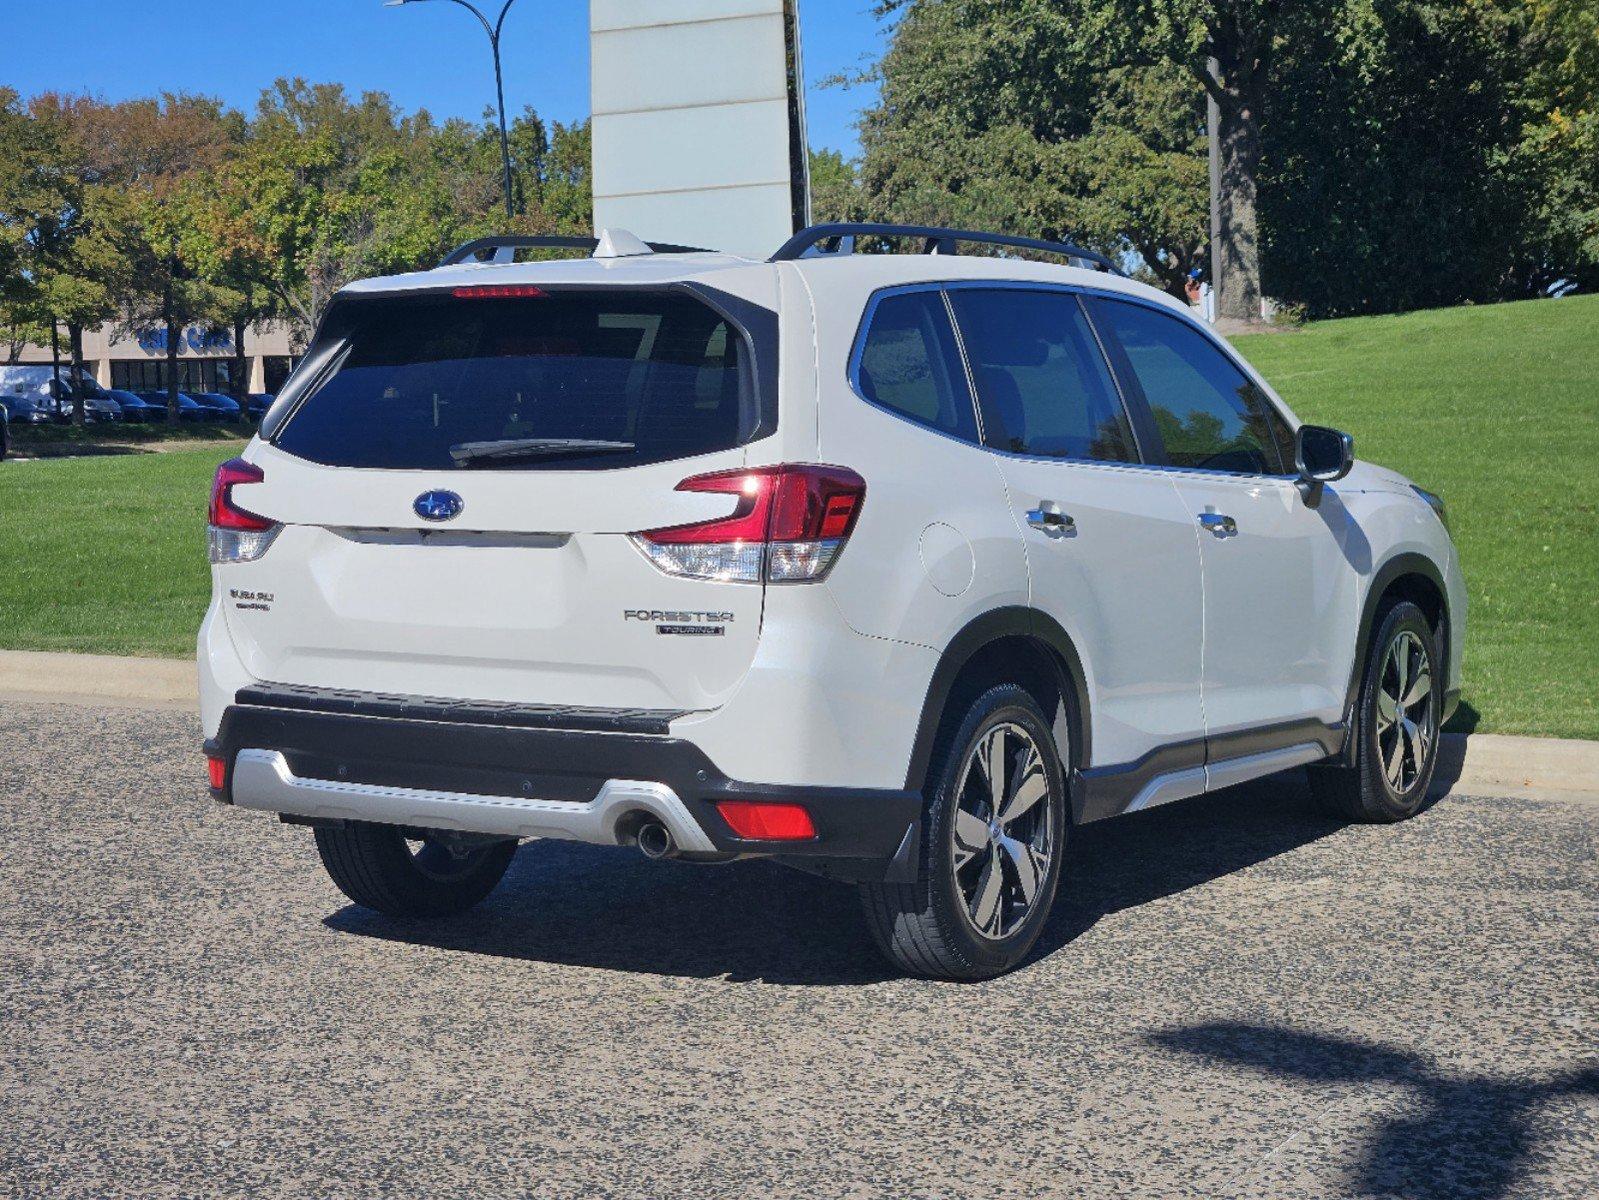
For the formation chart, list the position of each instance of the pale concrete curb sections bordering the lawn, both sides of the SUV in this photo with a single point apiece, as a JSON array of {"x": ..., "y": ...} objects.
[{"x": 1481, "y": 764}]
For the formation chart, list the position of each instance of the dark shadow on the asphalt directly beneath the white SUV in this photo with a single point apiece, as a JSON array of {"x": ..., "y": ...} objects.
[{"x": 757, "y": 922}]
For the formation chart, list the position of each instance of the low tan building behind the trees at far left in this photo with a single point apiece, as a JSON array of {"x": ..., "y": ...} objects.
[{"x": 205, "y": 359}]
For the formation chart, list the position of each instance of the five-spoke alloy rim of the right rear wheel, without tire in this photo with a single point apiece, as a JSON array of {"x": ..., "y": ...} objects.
[{"x": 1003, "y": 831}]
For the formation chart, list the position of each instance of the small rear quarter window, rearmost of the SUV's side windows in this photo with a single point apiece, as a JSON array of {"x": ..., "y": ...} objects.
[{"x": 911, "y": 366}]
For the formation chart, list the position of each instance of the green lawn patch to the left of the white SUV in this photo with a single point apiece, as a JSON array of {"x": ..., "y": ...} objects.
[{"x": 106, "y": 554}]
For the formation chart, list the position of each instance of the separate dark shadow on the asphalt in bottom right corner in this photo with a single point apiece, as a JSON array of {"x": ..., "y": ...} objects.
[{"x": 1456, "y": 1137}]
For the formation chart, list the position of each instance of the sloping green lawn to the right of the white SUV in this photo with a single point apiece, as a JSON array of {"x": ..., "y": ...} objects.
[{"x": 1497, "y": 410}]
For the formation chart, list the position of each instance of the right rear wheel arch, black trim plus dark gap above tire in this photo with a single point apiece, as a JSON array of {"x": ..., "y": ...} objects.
[{"x": 1011, "y": 644}]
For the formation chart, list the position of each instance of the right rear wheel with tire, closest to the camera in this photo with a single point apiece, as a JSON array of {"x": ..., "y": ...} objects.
[{"x": 994, "y": 836}]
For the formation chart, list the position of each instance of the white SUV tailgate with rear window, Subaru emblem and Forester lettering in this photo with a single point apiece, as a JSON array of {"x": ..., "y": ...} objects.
[{"x": 458, "y": 494}]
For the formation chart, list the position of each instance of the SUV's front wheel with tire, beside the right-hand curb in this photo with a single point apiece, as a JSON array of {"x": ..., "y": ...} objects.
[{"x": 1397, "y": 722}]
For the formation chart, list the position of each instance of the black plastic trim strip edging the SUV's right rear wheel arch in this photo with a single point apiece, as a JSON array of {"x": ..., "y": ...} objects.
[{"x": 992, "y": 626}]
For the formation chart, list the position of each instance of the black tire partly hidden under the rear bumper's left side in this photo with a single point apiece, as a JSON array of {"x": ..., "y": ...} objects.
[{"x": 378, "y": 868}]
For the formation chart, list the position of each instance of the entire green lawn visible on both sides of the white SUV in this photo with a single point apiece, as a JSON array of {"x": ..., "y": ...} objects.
[{"x": 1496, "y": 409}]
